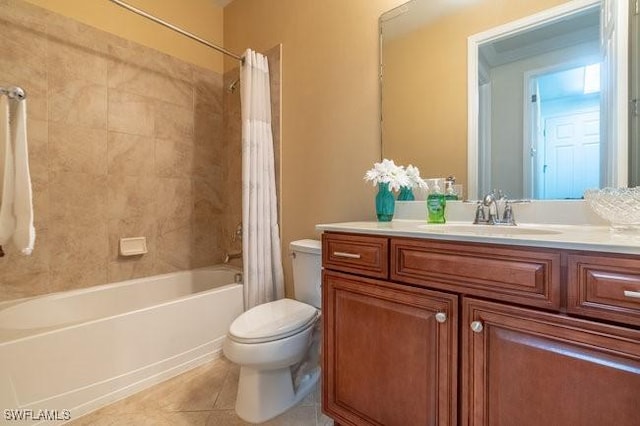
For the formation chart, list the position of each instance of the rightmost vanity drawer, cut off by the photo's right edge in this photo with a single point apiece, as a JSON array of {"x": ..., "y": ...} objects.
[{"x": 605, "y": 287}]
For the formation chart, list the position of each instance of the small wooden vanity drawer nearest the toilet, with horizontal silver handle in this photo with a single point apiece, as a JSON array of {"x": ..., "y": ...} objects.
[{"x": 358, "y": 254}]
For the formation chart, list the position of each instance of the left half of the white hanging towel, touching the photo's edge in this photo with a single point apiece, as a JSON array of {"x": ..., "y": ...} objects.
[{"x": 7, "y": 185}]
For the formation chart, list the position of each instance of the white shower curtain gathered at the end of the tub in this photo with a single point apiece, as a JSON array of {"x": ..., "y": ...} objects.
[{"x": 262, "y": 262}]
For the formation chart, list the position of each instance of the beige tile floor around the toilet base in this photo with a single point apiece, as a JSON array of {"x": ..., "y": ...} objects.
[{"x": 204, "y": 396}]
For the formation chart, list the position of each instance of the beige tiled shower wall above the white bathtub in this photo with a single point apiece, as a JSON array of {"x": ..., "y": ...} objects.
[{"x": 124, "y": 141}]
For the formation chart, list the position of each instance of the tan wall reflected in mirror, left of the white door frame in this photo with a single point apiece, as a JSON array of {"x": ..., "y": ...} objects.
[{"x": 425, "y": 108}]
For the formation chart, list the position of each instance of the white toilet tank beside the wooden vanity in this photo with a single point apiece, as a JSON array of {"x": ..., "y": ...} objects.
[{"x": 307, "y": 271}]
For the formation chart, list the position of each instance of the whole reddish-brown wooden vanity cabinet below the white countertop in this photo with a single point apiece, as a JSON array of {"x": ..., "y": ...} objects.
[{"x": 479, "y": 334}]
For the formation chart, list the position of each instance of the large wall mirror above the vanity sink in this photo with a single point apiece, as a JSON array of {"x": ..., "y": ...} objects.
[{"x": 530, "y": 97}]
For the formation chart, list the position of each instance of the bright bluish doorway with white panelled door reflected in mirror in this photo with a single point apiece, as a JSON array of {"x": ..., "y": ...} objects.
[{"x": 565, "y": 151}]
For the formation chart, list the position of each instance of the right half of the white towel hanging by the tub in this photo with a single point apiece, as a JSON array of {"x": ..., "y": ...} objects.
[{"x": 24, "y": 235}]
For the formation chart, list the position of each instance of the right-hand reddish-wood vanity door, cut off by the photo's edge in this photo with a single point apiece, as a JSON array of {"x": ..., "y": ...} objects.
[{"x": 523, "y": 367}]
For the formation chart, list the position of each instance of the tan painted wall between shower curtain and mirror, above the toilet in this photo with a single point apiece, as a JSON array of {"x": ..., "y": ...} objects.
[{"x": 330, "y": 107}]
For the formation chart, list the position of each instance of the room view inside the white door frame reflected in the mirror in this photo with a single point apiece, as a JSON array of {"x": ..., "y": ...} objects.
[{"x": 543, "y": 85}]
